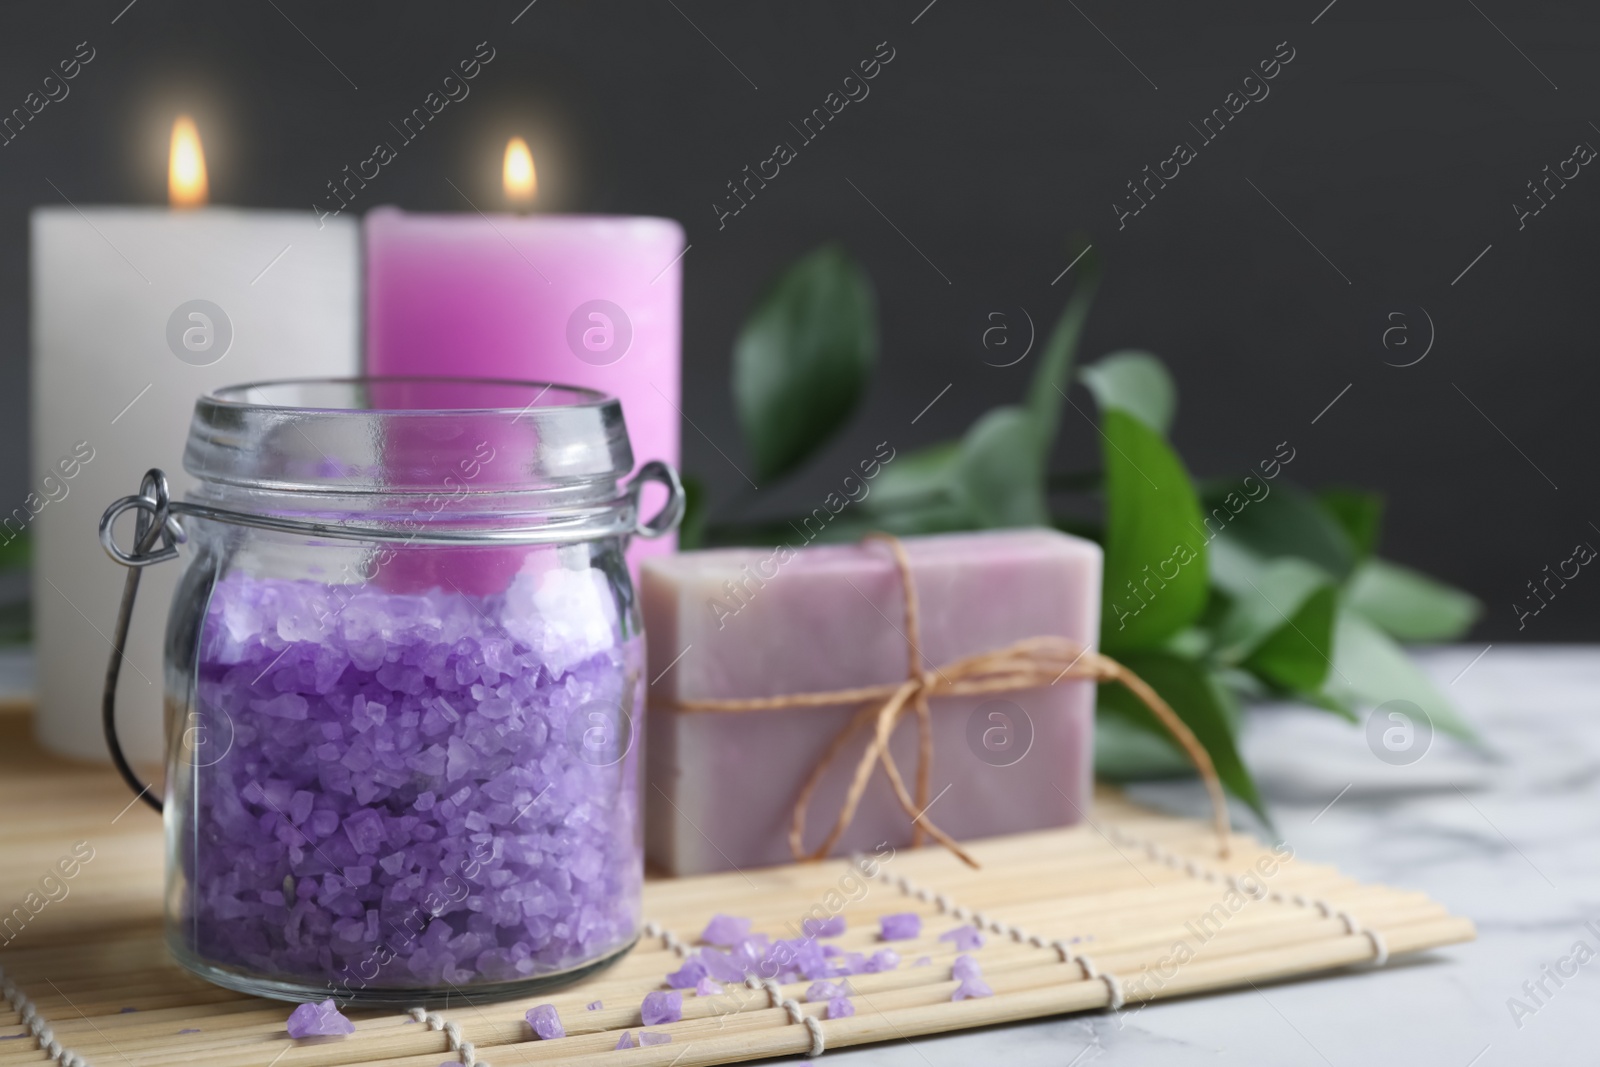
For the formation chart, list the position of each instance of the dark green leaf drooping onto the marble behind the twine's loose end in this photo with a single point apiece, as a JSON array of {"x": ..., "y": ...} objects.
[{"x": 1201, "y": 701}]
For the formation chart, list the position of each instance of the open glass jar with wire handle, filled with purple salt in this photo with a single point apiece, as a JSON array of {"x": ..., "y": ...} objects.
[{"x": 404, "y": 687}]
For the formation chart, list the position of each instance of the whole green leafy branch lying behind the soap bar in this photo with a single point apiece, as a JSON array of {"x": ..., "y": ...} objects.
[{"x": 1214, "y": 593}]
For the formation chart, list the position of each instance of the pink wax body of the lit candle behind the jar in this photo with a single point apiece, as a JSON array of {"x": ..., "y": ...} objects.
[{"x": 575, "y": 300}]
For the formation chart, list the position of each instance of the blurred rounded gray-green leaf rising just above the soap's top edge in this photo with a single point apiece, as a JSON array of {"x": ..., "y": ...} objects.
[{"x": 1001, "y": 471}]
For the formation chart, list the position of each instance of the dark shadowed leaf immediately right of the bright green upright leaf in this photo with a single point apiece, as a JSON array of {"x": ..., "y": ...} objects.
[{"x": 1278, "y": 519}]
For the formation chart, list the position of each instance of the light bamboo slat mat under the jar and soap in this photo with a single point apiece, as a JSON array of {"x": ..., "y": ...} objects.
[{"x": 1134, "y": 908}]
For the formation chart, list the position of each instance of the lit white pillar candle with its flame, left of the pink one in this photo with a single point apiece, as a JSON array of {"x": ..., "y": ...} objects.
[{"x": 137, "y": 313}]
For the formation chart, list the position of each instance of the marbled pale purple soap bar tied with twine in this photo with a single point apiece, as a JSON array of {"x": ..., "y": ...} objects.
[{"x": 753, "y": 623}]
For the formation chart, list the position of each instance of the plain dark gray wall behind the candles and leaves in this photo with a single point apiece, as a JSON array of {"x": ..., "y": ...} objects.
[{"x": 996, "y": 142}]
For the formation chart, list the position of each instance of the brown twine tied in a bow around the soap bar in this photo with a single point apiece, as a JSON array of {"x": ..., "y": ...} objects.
[{"x": 1031, "y": 663}]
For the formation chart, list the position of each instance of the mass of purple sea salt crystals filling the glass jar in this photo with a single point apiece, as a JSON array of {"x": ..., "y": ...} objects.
[{"x": 409, "y": 794}]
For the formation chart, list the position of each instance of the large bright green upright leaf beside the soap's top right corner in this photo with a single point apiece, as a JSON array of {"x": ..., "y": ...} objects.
[{"x": 1156, "y": 569}]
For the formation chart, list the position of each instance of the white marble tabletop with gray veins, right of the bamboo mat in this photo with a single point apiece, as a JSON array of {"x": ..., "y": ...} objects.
[{"x": 1513, "y": 844}]
